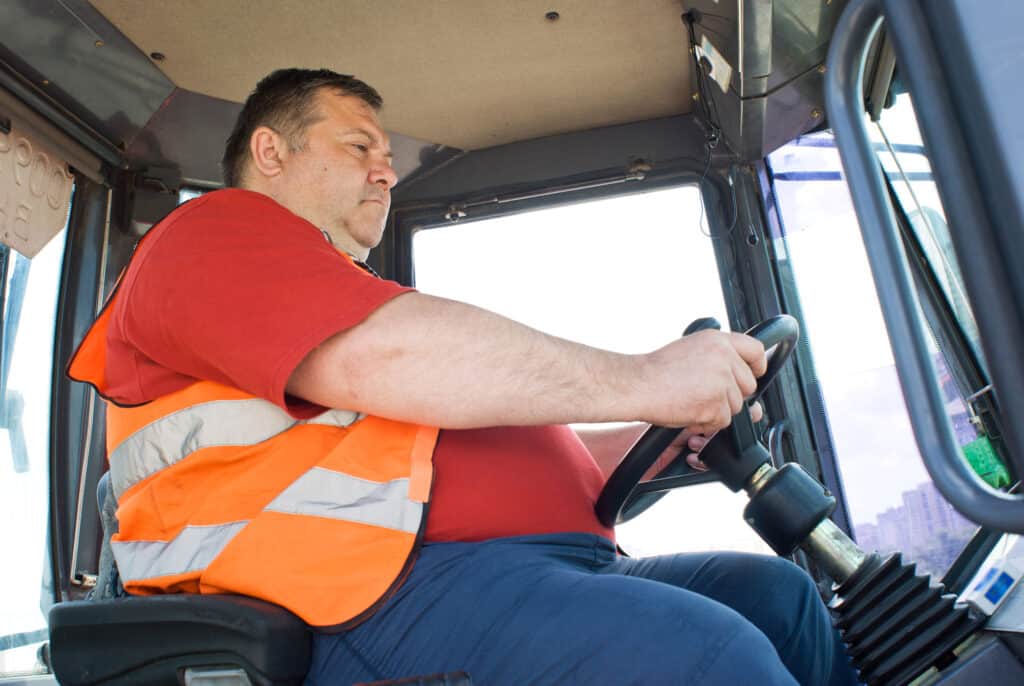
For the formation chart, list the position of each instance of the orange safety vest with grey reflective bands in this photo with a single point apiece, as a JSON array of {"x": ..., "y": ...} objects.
[{"x": 223, "y": 492}]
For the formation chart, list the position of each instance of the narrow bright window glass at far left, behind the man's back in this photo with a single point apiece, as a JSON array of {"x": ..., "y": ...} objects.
[{"x": 29, "y": 318}]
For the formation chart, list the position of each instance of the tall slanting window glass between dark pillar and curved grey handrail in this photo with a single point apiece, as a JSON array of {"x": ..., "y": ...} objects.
[{"x": 892, "y": 501}]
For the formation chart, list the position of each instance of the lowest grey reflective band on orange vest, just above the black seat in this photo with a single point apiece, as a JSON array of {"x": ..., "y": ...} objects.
[{"x": 192, "y": 550}]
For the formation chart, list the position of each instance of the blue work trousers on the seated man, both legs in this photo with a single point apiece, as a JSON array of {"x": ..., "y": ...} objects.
[{"x": 567, "y": 610}]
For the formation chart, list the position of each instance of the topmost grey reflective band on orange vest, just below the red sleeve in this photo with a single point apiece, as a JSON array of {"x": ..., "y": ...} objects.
[{"x": 176, "y": 437}]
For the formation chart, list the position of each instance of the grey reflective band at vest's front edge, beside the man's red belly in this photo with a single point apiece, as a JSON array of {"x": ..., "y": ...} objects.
[{"x": 324, "y": 493}]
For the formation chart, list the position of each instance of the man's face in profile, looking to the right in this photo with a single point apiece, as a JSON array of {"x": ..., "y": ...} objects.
[{"x": 342, "y": 180}]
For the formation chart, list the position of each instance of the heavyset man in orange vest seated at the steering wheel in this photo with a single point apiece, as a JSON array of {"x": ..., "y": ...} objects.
[{"x": 272, "y": 434}]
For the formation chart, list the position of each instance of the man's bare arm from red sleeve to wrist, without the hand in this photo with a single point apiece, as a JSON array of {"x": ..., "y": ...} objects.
[{"x": 443, "y": 363}]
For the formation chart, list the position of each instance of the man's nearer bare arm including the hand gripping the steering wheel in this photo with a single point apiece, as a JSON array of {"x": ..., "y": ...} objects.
[{"x": 442, "y": 363}]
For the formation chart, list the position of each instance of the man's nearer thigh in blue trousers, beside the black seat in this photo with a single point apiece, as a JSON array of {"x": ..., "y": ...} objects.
[{"x": 535, "y": 611}]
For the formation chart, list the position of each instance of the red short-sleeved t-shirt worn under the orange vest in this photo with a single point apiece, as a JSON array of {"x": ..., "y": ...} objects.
[{"x": 234, "y": 288}]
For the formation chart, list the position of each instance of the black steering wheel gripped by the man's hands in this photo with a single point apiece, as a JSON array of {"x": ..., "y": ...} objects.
[{"x": 625, "y": 495}]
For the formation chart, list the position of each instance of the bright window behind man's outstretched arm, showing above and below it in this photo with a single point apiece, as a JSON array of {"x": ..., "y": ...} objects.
[{"x": 626, "y": 274}]
